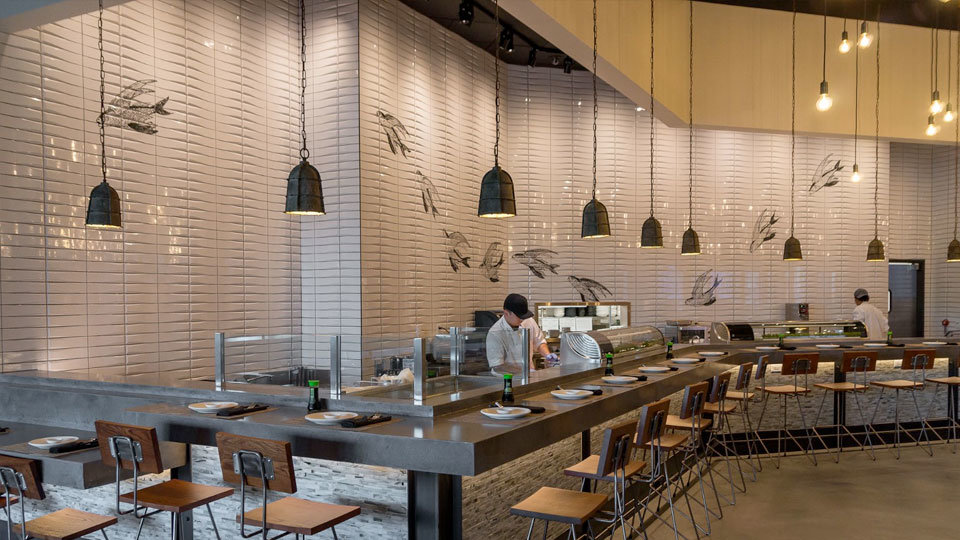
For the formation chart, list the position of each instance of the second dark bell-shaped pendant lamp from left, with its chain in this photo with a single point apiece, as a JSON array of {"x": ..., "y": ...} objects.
[{"x": 304, "y": 190}]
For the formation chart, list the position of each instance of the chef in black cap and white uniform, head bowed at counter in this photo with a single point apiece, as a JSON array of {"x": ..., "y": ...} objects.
[{"x": 504, "y": 352}]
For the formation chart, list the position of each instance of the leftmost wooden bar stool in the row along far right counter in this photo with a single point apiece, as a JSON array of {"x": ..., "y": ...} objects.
[{"x": 795, "y": 365}]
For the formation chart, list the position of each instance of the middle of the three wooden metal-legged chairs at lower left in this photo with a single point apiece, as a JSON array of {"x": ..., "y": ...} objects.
[{"x": 137, "y": 449}]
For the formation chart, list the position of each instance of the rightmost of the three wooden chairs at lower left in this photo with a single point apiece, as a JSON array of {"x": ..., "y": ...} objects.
[{"x": 268, "y": 465}]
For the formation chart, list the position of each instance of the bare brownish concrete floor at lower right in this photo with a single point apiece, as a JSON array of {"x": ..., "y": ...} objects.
[{"x": 917, "y": 497}]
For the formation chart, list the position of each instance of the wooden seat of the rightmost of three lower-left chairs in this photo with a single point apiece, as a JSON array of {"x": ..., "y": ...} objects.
[{"x": 300, "y": 516}]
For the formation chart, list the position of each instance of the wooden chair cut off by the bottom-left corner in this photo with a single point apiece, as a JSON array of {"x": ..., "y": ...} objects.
[{"x": 65, "y": 524}]
